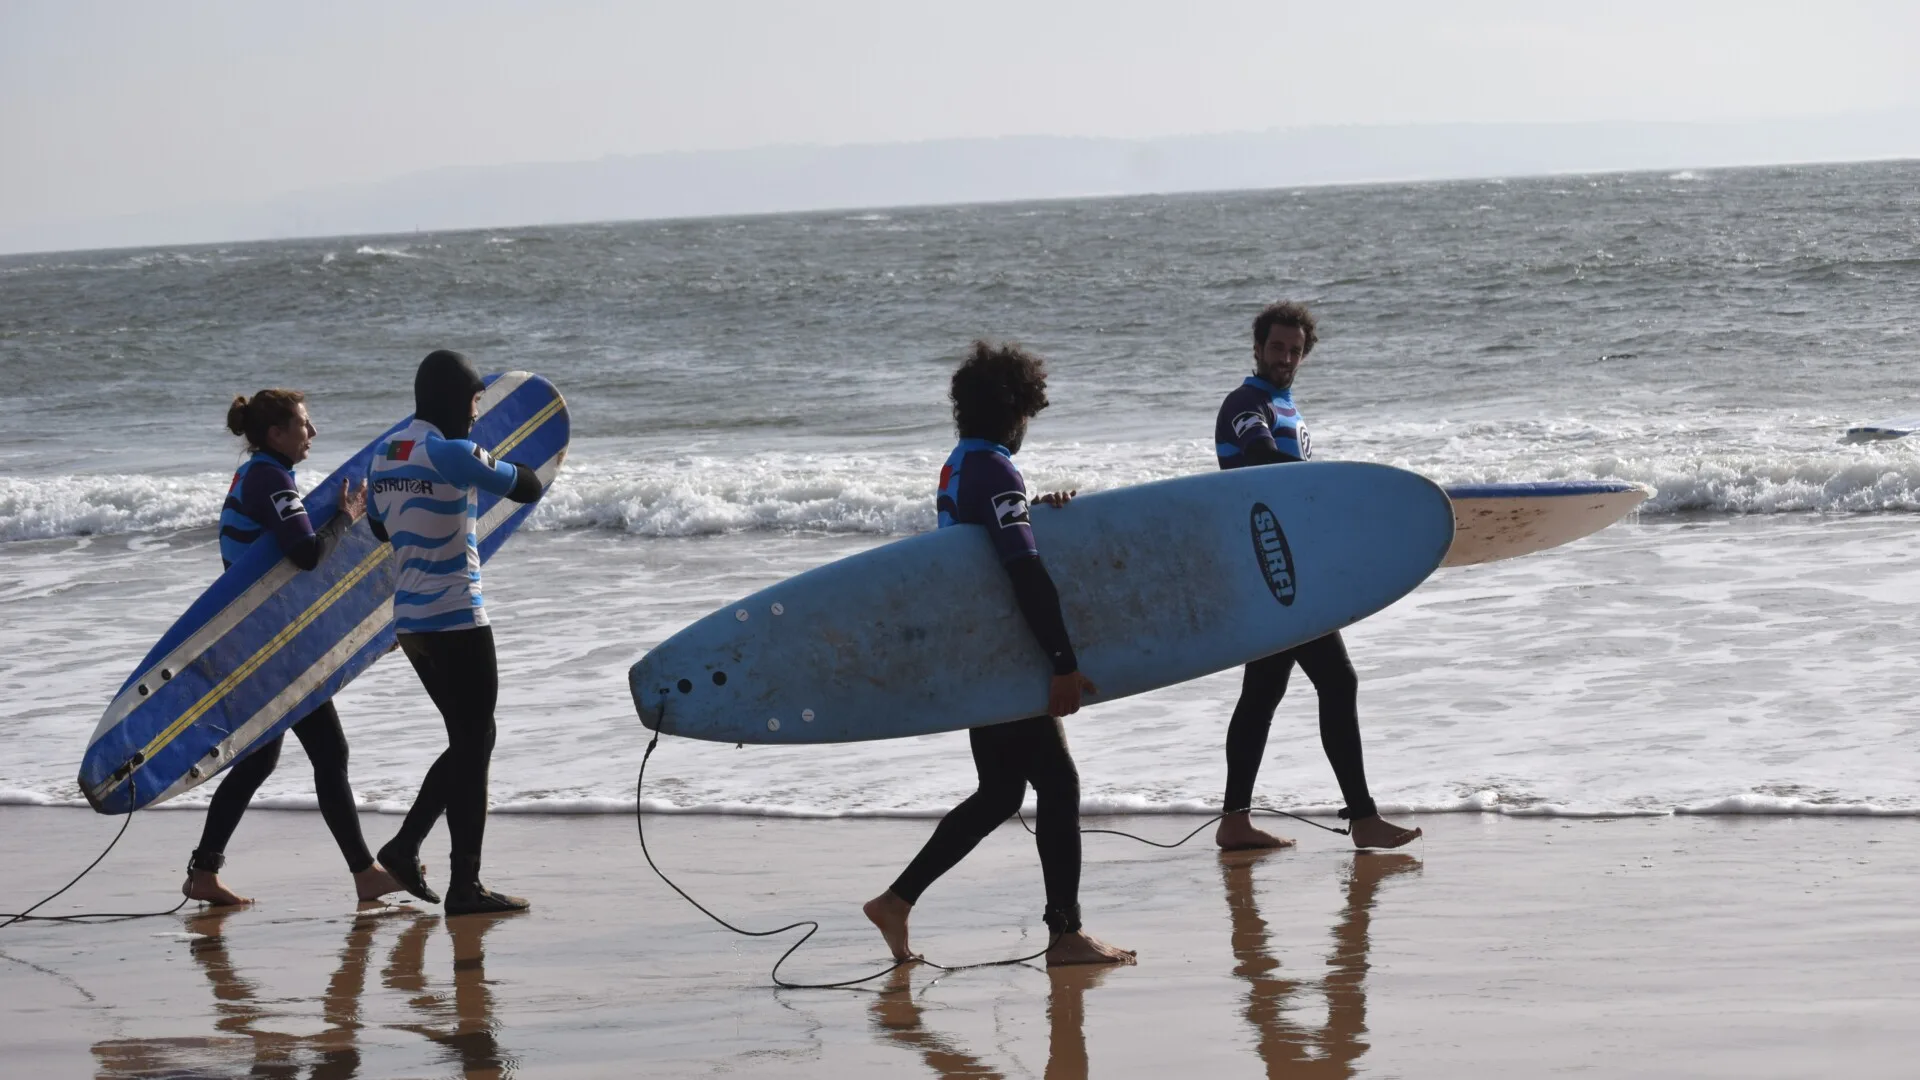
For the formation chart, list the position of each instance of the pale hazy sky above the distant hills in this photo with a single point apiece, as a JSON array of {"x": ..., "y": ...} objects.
[{"x": 132, "y": 107}]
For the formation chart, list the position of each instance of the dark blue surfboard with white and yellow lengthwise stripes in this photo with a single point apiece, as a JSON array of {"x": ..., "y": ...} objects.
[{"x": 268, "y": 643}]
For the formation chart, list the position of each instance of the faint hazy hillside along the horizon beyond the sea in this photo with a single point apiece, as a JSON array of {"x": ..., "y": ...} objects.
[{"x": 984, "y": 170}]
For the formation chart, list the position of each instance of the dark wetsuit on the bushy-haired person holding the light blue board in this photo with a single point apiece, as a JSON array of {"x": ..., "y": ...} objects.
[{"x": 982, "y": 487}]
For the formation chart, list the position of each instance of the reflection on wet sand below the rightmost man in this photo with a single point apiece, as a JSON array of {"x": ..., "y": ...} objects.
[{"x": 1287, "y": 1046}]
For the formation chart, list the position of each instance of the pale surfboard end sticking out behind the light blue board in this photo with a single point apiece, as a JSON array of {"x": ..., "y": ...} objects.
[{"x": 1504, "y": 522}]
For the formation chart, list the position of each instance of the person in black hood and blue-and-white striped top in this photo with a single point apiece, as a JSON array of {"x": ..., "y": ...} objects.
[{"x": 421, "y": 499}]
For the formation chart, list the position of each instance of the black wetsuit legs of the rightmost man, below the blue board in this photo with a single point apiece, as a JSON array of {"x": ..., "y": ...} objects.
[{"x": 1262, "y": 687}]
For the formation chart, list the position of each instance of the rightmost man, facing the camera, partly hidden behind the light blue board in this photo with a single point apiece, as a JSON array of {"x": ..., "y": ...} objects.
[{"x": 1260, "y": 426}]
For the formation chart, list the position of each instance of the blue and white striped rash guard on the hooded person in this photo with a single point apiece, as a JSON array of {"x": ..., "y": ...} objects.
[{"x": 425, "y": 491}]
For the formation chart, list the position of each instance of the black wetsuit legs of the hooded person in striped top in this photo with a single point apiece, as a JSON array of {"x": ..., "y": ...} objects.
[{"x": 460, "y": 674}]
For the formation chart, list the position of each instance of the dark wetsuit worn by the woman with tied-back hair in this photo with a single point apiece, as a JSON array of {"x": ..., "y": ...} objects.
[{"x": 264, "y": 499}]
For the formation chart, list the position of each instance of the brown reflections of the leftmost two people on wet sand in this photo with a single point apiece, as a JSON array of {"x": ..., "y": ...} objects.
[{"x": 249, "y": 1046}]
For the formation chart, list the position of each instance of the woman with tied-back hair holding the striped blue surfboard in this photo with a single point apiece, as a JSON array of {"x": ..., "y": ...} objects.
[{"x": 266, "y": 501}]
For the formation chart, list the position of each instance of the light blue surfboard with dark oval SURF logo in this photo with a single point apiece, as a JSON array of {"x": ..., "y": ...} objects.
[{"x": 1161, "y": 583}]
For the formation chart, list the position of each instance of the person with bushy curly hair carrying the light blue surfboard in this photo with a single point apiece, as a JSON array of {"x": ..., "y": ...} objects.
[{"x": 996, "y": 393}]
